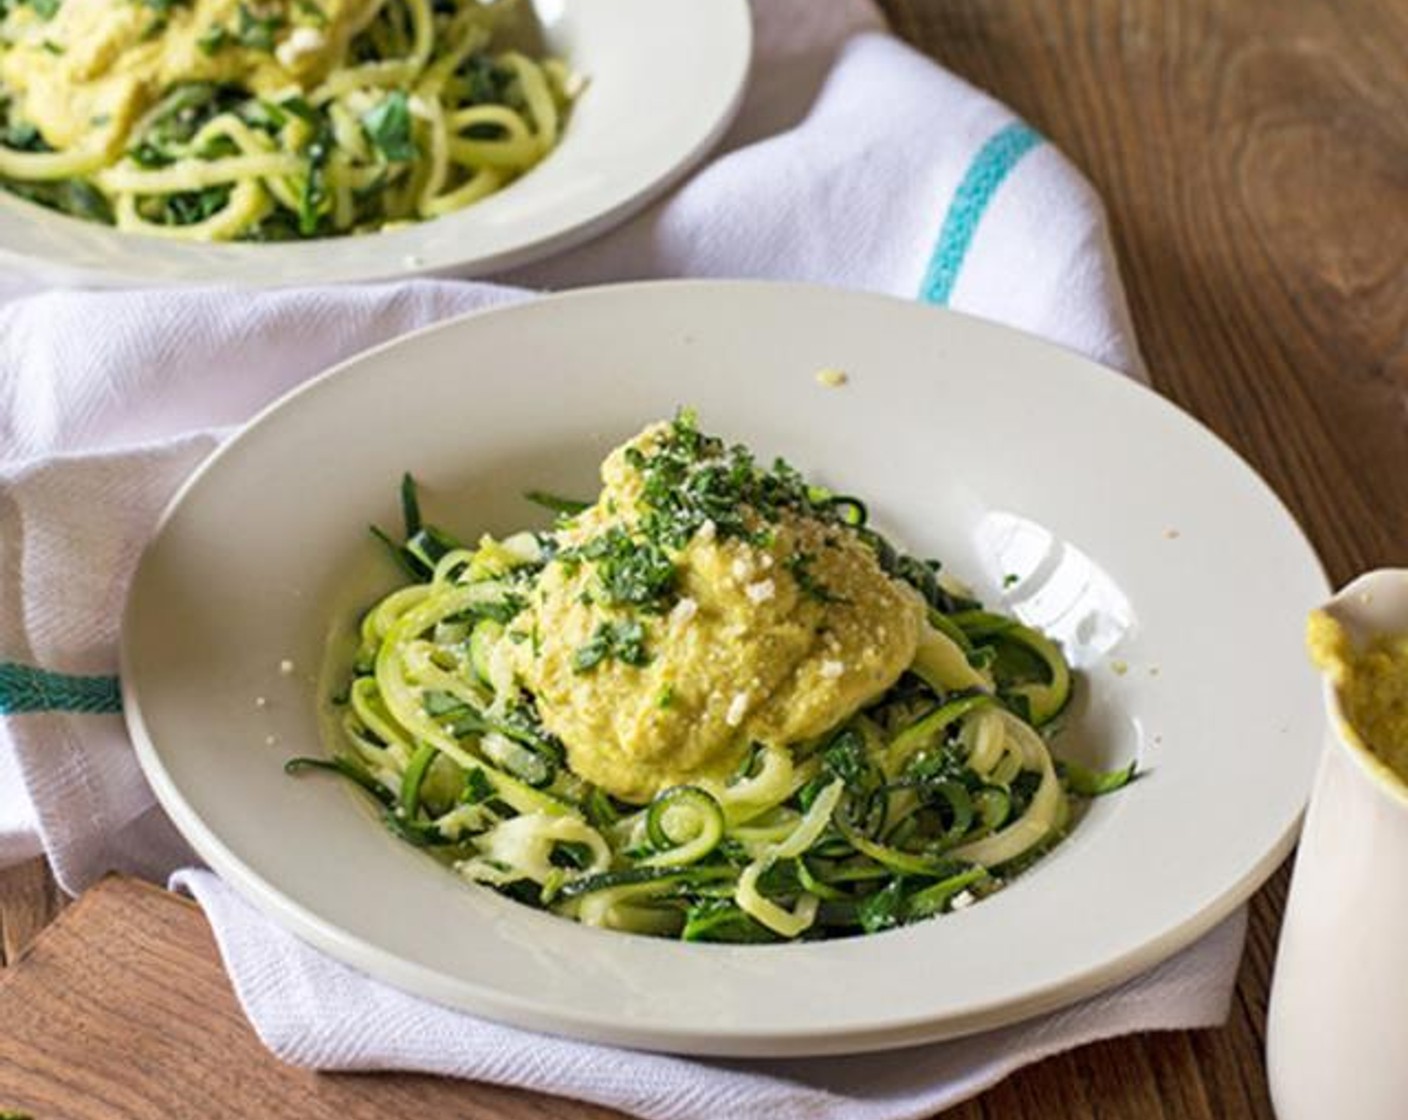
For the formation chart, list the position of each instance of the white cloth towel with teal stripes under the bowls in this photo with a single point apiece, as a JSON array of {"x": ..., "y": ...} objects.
[{"x": 855, "y": 163}]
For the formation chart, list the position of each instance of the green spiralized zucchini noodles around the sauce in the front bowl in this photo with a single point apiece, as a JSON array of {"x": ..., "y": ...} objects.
[{"x": 924, "y": 801}]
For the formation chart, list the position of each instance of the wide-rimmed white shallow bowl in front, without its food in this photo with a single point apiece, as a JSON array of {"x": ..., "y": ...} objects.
[{"x": 1061, "y": 491}]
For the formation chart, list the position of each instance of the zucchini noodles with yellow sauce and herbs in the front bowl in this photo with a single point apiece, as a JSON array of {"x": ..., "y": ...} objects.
[{"x": 713, "y": 704}]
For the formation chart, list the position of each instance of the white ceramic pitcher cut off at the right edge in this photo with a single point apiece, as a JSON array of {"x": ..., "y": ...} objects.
[{"x": 1338, "y": 1029}]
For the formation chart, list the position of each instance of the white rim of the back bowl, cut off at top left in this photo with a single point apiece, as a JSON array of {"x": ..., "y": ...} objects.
[{"x": 665, "y": 80}]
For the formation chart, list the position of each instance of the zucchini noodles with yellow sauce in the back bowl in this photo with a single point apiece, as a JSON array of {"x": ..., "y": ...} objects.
[{"x": 233, "y": 120}]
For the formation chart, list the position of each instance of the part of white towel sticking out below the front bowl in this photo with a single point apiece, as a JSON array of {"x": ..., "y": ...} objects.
[{"x": 305, "y": 1005}]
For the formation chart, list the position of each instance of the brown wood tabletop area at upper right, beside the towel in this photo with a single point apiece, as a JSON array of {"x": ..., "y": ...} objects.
[{"x": 1254, "y": 158}]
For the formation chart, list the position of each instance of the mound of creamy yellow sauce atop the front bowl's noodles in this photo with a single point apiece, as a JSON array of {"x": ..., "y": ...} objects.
[{"x": 774, "y": 636}]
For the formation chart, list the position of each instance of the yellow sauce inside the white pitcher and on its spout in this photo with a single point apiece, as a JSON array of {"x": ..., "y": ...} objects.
[{"x": 1372, "y": 684}]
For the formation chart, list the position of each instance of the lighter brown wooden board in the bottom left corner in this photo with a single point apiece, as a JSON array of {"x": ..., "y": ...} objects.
[{"x": 122, "y": 1012}]
